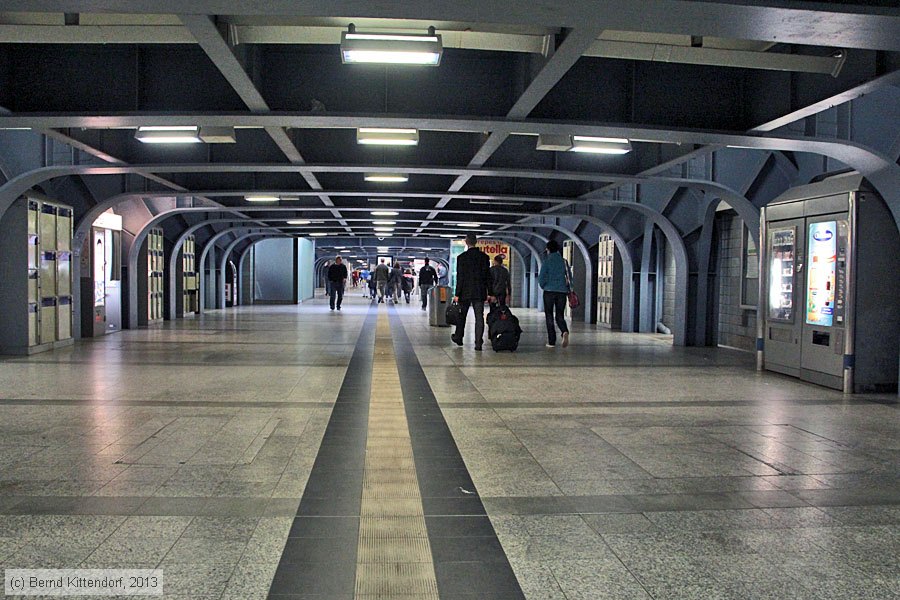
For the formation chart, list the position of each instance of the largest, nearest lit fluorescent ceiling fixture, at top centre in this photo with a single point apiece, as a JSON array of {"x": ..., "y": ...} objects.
[{"x": 391, "y": 48}]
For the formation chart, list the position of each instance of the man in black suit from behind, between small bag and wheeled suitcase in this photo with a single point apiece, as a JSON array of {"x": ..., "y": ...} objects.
[{"x": 473, "y": 280}]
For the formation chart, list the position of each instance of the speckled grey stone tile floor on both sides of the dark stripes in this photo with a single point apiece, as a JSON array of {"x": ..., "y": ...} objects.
[{"x": 620, "y": 467}]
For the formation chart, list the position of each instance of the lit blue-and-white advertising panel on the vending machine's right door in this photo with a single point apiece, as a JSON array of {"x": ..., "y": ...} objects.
[{"x": 821, "y": 278}]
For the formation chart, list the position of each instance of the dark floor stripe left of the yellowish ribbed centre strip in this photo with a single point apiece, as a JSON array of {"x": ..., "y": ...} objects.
[{"x": 319, "y": 558}]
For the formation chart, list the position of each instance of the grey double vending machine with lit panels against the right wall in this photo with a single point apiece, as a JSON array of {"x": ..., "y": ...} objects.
[{"x": 830, "y": 286}]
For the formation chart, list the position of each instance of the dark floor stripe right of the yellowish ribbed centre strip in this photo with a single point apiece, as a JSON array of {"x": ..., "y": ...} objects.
[{"x": 468, "y": 559}]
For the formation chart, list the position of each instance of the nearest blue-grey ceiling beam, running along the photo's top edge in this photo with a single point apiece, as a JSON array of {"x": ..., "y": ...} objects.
[{"x": 844, "y": 24}]
